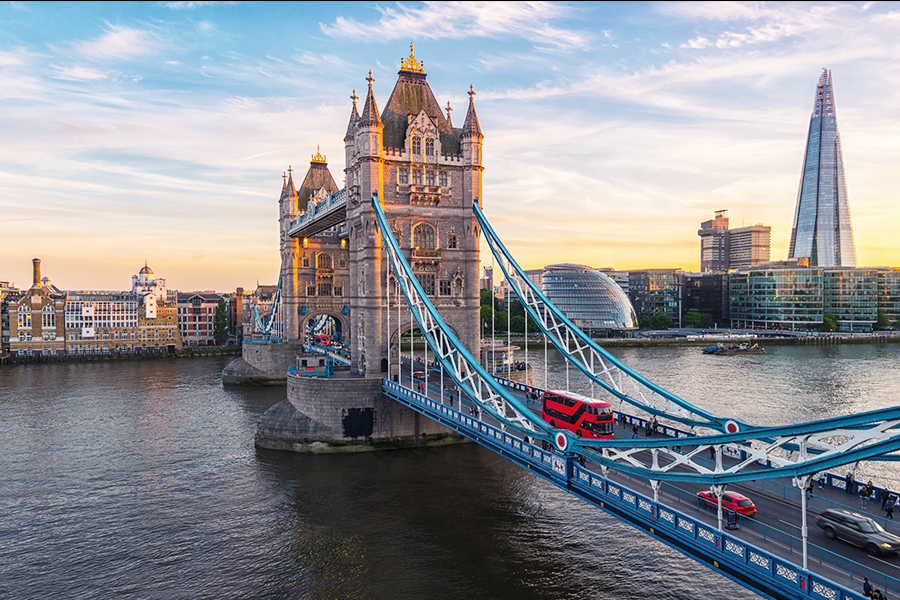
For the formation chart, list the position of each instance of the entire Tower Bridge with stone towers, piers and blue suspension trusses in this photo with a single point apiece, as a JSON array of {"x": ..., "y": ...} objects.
[{"x": 396, "y": 251}]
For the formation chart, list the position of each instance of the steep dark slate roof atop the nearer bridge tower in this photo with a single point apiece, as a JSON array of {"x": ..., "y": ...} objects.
[{"x": 410, "y": 95}]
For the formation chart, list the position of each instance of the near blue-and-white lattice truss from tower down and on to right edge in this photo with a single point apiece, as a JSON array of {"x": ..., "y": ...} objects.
[{"x": 793, "y": 450}]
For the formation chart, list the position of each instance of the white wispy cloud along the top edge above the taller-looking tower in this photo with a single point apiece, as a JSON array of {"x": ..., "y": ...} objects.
[{"x": 458, "y": 20}]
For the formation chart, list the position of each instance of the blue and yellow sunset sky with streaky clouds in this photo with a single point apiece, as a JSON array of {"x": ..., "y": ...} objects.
[{"x": 159, "y": 131}]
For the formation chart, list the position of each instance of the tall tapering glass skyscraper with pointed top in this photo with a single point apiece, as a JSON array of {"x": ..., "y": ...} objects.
[{"x": 822, "y": 230}]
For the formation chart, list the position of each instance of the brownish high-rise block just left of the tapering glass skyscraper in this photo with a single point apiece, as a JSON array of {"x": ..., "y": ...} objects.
[{"x": 722, "y": 248}]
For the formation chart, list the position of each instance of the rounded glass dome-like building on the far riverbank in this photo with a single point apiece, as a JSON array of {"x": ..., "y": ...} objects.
[{"x": 590, "y": 299}]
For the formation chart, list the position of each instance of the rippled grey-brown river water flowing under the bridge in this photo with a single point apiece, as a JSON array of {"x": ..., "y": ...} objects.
[{"x": 139, "y": 479}]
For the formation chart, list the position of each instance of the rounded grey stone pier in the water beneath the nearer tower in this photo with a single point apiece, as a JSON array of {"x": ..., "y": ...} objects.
[{"x": 345, "y": 414}]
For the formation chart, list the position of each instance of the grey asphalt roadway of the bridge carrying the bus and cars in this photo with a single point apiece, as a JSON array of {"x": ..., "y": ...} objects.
[{"x": 776, "y": 528}]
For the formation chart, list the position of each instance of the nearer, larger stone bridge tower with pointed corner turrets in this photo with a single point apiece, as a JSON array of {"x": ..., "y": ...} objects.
[{"x": 426, "y": 174}]
